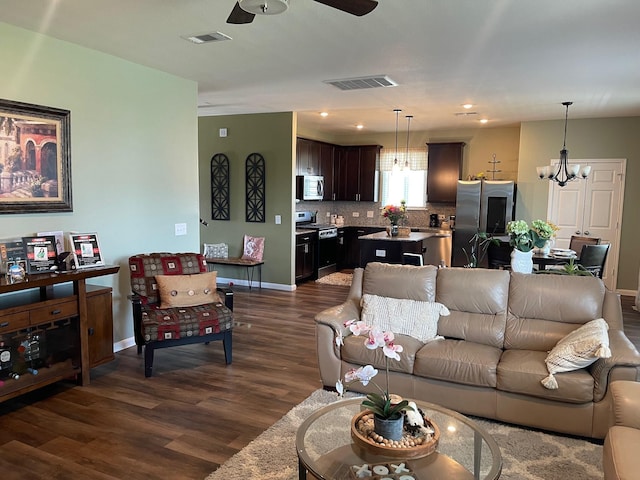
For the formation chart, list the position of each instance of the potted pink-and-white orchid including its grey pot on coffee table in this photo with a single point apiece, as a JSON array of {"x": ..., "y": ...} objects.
[{"x": 387, "y": 411}]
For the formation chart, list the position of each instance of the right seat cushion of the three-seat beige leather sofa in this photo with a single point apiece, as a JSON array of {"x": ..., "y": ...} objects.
[{"x": 521, "y": 371}]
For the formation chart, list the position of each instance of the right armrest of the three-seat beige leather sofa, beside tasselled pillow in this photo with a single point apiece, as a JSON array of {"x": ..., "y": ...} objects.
[{"x": 624, "y": 355}]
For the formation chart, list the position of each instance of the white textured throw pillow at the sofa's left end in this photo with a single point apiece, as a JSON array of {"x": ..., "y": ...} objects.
[{"x": 403, "y": 316}]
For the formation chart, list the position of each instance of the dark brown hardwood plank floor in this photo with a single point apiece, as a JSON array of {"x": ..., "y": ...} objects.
[{"x": 194, "y": 413}]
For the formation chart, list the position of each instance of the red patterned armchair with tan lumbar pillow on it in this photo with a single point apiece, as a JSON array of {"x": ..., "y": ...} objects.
[{"x": 176, "y": 302}]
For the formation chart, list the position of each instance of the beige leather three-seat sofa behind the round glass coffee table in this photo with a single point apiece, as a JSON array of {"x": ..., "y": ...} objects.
[{"x": 497, "y": 336}]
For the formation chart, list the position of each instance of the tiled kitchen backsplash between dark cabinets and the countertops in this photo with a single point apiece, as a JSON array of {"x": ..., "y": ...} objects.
[{"x": 368, "y": 213}]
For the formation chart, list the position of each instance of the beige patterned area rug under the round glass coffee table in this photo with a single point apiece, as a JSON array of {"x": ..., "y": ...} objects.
[{"x": 526, "y": 454}]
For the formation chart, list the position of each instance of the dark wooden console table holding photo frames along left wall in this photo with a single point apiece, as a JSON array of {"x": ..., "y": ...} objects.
[{"x": 76, "y": 319}]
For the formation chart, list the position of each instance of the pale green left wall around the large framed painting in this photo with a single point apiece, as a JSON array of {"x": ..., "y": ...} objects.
[{"x": 134, "y": 150}]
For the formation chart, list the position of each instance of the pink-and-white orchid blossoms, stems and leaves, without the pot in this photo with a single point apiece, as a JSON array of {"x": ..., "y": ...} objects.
[{"x": 379, "y": 403}]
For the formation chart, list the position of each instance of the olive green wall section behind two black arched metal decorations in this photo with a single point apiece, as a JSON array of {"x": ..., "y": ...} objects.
[{"x": 273, "y": 136}]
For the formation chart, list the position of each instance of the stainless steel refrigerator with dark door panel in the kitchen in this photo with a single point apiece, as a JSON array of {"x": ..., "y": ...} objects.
[{"x": 481, "y": 206}]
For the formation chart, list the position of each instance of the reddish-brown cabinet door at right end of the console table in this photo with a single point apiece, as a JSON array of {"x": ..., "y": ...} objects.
[{"x": 100, "y": 324}]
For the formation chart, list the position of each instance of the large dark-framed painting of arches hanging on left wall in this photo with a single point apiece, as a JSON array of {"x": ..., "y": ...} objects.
[{"x": 35, "y": 165}]
